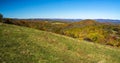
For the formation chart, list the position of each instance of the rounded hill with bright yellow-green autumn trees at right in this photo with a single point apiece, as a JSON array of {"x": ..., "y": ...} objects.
[{"x": 93, "y": 31}]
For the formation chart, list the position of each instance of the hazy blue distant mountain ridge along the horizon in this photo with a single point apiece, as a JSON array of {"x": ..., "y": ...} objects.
[{"x": 73, "y": 20}]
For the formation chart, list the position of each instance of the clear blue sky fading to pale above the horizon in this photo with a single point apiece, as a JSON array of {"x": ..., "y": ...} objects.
[{"x": 67, "y": 9}]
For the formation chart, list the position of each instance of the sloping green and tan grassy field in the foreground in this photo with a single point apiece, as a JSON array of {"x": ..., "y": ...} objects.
[{"x": 26, "y": 45}]
